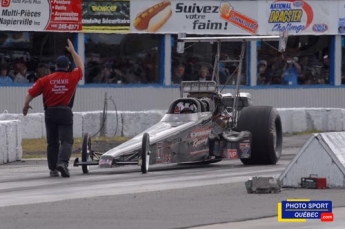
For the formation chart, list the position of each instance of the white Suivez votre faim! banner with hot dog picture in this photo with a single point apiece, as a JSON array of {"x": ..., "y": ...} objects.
[{"x": 198, "y": 17}]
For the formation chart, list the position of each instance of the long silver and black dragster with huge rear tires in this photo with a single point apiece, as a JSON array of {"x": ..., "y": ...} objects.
[{"x": 202, "y": 126}]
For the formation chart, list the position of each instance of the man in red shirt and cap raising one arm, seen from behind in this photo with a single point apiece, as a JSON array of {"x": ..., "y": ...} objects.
[{"x": 58, "y": 90}]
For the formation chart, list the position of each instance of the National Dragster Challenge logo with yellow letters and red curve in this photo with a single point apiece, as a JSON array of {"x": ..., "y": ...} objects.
[{"x": 290, "y": 15}]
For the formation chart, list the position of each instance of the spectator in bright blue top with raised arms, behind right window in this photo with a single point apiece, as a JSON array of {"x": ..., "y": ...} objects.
[{"x": 292, "y": 71}]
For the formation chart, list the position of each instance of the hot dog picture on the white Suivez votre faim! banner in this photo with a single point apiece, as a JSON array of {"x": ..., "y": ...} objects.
[{"x": 153, "y": 17}]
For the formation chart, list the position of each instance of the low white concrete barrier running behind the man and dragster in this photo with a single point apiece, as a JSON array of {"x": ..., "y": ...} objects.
[{"x": 14, "y": 127}]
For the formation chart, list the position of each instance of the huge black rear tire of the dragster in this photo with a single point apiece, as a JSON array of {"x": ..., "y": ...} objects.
[{"x": 265, "y": 125}]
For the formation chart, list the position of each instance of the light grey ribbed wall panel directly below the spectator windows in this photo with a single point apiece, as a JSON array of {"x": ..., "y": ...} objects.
[{"x": 139, "y": 97}]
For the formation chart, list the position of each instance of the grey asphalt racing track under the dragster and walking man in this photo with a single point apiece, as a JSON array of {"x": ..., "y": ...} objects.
[{"x": 211, "y": 196}]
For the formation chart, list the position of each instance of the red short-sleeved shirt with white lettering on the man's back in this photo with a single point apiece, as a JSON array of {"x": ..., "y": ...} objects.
[{"x": 58, "y": 88}]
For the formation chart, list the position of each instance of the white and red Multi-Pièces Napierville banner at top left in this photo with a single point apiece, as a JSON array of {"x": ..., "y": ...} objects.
[{"x": 40, "y": 15}]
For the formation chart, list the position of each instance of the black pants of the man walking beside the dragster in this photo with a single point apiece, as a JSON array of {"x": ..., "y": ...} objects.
[{"x": 59, "y": 127}]
